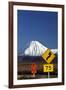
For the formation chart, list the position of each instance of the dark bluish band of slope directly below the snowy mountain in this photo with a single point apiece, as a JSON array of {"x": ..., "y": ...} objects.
[{"x": 33, "y": 59}]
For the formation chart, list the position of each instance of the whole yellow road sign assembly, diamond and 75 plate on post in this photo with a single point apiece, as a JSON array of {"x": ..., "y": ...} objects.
[{"x": 48, "y": 56}]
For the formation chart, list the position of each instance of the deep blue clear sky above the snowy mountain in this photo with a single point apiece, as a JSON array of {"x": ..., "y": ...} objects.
[{"x": 37, "y": 25}]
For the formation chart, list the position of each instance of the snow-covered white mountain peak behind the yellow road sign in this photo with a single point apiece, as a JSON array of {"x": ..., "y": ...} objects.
[{"x": 37, "y": 49}]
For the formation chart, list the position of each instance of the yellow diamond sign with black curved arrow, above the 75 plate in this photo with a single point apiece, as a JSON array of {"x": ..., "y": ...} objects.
[{"x": 48, "y": 56}]
